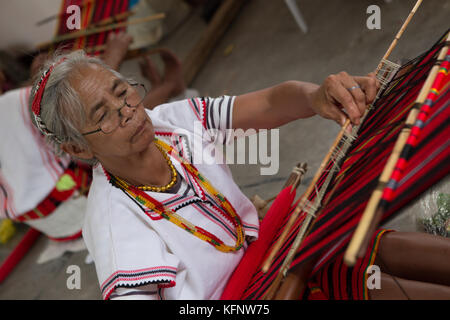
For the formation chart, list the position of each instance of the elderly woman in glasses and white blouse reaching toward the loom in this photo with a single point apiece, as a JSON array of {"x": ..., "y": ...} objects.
[{"x": 157, "y": 225}]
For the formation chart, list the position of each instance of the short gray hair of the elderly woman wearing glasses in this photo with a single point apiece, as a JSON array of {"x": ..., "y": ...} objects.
[{"x": 62, "y": 110}]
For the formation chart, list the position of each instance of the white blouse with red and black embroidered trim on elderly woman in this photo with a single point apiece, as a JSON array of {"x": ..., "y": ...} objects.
[{"x": 137, "y": 257}]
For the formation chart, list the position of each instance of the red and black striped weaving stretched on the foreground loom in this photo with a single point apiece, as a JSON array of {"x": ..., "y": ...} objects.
[{"x": 376, "y": 138}]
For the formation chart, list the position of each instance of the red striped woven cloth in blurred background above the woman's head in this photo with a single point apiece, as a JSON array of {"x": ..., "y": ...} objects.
[{"x": 92, "y": 12}]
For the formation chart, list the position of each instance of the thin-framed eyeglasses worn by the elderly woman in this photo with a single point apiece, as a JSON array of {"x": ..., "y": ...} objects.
[{"x": 110, "y": 121}]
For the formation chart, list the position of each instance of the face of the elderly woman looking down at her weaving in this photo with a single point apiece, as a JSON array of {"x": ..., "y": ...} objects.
[{"x": 102, "y": 93}]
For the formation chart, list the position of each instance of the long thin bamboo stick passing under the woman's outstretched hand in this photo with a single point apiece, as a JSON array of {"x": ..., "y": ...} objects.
[{"x": 267, "y": 263}]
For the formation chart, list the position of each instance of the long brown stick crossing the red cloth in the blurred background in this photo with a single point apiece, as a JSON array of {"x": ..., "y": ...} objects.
[{"x": 87, "y": 32}]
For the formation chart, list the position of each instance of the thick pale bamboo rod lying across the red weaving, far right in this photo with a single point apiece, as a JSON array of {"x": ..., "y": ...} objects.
[{"x": 359, "y": 238}]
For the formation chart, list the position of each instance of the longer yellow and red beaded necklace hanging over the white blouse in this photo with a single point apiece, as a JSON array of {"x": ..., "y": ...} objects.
[{"x": 154, "y": 205}]
